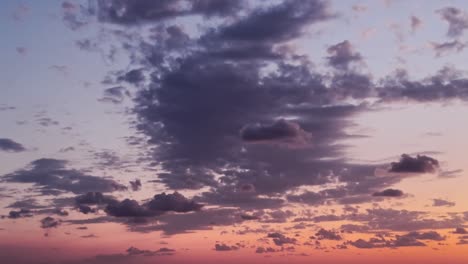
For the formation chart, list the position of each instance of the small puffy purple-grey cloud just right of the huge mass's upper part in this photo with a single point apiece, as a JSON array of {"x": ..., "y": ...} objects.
[{"x": 342, "y": 55}]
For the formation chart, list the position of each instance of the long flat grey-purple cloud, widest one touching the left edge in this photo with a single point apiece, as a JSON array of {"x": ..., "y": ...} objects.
[{"x": 52, "y": 175}]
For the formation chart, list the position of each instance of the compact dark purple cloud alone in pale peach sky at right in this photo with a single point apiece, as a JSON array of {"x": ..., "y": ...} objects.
[{"x": 418, "y": 164}]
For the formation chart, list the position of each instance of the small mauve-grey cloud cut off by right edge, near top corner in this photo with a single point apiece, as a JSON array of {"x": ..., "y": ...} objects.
[{"x": 457, "y": 20}]
